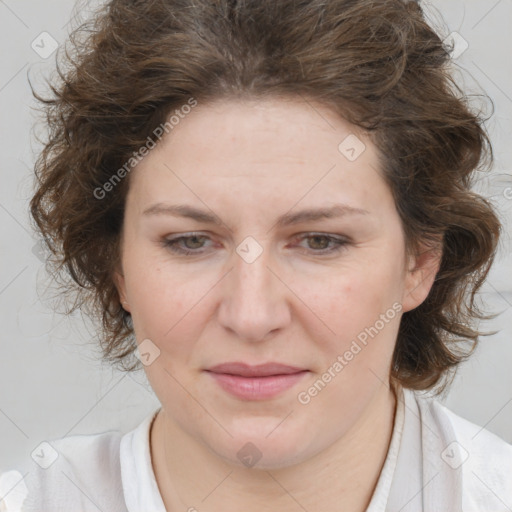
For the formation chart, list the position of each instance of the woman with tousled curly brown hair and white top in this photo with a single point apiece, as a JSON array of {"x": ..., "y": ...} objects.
[{"x": 268, "y": 204}]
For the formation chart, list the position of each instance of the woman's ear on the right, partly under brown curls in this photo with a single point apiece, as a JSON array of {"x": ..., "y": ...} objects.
[{"x": 421, "y": 272}]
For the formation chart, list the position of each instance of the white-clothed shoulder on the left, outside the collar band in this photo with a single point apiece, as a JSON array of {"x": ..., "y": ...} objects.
[{"x": 80, "y": 472}]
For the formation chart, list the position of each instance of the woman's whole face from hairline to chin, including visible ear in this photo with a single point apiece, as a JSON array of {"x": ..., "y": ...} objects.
[{"x": 262, "y": 282}]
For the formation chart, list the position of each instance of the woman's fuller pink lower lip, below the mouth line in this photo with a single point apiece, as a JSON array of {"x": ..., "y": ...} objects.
[{"x": 257, "y": 388}]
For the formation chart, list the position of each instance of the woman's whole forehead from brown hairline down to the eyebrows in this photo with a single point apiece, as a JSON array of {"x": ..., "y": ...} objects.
[{"x": 260, "y": 152}]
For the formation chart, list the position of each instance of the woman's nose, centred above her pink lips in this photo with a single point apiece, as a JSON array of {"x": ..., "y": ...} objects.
[{"x": 255, "y": 302}]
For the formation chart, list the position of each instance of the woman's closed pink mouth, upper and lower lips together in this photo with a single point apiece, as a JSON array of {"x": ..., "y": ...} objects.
[{"x": 260, "y": 382}]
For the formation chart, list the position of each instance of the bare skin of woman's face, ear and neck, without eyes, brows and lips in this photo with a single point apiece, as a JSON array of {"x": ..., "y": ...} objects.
[{"x": 248, "y": 162}]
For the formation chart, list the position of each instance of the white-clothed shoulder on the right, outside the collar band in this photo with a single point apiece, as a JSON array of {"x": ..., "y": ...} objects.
[{"x": 484, "y": 458}]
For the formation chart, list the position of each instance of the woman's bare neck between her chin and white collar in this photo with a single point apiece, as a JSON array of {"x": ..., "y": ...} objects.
[{"x": 192, "y": 477}]
